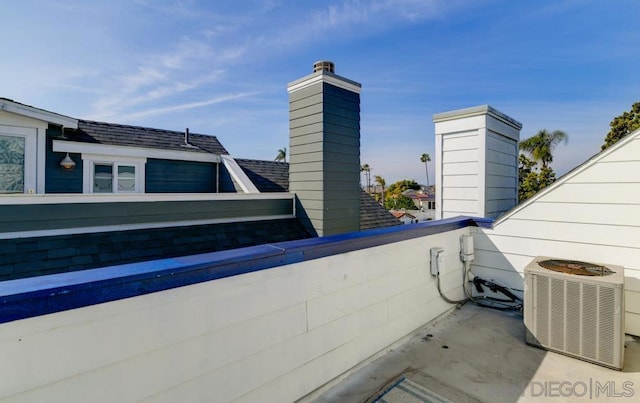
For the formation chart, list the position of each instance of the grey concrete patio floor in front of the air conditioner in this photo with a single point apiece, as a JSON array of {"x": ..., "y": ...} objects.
[{"x": 478, "y": 354}]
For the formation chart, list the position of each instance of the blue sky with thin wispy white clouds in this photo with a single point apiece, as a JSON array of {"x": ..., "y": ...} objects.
[{"x": 222, "y": 67}]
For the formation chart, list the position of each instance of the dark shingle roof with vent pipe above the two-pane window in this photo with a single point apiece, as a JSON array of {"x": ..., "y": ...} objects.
[{"x": 136, "y": 136}]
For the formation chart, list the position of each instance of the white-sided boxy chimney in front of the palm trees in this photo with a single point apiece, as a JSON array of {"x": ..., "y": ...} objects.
[{"x": 476, "y": 162}]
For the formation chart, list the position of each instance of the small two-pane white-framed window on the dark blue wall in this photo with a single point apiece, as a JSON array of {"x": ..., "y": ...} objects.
[{"x": 121, "y": 176}]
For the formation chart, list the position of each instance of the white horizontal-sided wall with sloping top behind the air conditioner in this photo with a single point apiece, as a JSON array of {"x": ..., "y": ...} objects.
[{"x": 593, "y": 215}]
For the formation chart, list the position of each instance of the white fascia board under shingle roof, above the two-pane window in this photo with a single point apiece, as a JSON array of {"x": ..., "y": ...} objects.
[{"x": 127, "y": 151}]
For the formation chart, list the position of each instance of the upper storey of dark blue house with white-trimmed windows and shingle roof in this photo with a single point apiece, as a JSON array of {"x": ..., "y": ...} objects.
[{"x": 61, "y": 154}]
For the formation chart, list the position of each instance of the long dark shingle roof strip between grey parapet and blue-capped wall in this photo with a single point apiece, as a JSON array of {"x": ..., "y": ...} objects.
[{"x": 37, "y": 256}]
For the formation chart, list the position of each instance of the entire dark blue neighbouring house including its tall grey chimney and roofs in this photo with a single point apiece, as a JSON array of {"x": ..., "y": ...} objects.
[{"x": 78, "y": 194}]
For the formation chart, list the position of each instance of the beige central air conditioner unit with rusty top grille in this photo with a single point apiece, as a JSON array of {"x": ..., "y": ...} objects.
[{"x": 575, "y": 308}]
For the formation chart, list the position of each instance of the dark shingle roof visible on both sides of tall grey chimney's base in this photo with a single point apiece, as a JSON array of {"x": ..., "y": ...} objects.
[{"x": 273, "y": 176}]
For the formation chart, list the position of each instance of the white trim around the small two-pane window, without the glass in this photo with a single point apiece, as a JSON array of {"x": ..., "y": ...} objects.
[{"x": 90, "y": 160}]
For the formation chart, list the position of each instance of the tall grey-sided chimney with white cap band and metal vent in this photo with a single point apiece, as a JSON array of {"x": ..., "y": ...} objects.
[{"x": 324, "y": 148}]
